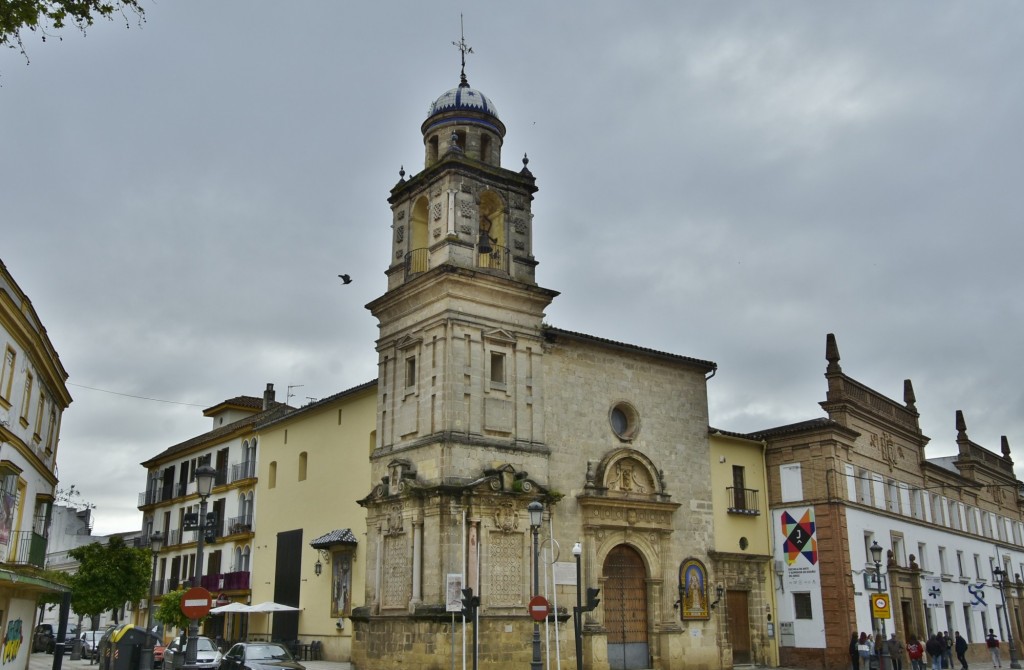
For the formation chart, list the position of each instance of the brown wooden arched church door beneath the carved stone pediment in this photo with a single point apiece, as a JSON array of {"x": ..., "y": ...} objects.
[{"x": 626, "y": 609}]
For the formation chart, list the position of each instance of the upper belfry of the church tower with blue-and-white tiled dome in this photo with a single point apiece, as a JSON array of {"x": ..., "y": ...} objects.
[{"x": 464, "y": 210}]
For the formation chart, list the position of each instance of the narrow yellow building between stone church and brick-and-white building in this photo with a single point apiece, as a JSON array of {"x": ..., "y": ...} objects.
[{"x": 743, "y": 551}]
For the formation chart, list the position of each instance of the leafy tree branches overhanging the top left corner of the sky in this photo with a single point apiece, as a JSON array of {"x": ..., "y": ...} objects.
[{"x": 46, "y": 16}]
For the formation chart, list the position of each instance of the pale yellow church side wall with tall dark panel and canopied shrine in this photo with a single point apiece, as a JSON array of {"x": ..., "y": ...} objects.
[{"x": 310, "y": 549}]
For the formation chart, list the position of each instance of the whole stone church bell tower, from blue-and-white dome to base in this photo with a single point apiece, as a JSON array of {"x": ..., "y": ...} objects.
[{"x": 460, "y": 446}]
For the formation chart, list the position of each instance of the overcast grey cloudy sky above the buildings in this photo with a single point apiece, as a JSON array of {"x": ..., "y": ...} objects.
[{"x": 730, "y": 182}]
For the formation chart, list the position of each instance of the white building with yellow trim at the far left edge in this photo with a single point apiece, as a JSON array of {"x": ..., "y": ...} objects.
[{"x": 33, "y": 398}]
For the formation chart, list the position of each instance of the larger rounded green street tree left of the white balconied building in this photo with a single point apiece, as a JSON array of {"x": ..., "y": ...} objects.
[{"x": 109, "y": 575}]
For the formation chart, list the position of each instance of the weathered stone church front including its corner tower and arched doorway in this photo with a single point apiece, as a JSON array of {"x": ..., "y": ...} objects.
[{"x": 483, "y": 409}]
